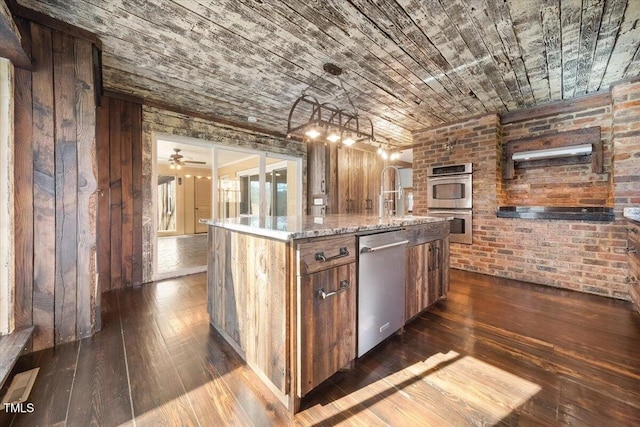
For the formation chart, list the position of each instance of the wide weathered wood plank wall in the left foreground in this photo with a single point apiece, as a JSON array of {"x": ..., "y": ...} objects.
[{"x": 55, "y": 185}]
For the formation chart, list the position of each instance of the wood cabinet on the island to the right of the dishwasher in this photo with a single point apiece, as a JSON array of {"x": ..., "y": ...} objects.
[{"x": 426, "y": 270}]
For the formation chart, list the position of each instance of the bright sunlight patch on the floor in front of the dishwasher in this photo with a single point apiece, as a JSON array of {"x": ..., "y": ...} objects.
[{"x": 451, "y": 389}]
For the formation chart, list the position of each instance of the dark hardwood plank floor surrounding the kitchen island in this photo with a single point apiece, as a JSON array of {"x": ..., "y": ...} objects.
[{"x": 496, "y": 352}]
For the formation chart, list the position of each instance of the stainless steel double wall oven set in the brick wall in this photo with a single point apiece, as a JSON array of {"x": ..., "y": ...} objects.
[{"x": 450, "y": 194}]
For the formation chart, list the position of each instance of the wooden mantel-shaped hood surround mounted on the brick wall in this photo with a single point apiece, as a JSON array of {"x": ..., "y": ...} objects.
[{"x": 578, "y": 137}]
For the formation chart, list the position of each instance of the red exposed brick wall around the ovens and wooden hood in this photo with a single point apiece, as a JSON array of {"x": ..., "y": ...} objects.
[{"x": 586, "y": 256}]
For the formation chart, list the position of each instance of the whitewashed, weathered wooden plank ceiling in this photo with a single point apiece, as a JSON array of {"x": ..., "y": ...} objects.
[{"x": 409, "y": 64}]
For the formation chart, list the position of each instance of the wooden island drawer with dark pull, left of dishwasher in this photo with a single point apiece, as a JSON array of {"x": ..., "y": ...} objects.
[{"x": 321, "y": 253}]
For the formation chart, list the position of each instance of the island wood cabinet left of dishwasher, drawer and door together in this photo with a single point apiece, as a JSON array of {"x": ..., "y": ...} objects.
[{"x": 326, "y": 310}]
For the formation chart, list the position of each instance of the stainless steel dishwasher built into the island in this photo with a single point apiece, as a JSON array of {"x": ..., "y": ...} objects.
[{"x": 381, "y": 266}]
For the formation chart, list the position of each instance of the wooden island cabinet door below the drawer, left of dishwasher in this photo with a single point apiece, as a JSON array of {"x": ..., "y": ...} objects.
[{"x": 327, "y": 324}]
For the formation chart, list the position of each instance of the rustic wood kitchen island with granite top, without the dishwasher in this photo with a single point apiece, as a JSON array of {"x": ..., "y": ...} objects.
[{"x": 283, "y": 290}]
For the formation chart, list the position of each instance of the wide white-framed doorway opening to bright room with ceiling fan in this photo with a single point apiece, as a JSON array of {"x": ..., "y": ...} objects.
[{"x": 197, "y": 180}]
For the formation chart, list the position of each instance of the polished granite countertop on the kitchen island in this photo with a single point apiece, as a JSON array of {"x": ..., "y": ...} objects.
[{"x": 300, "y": 227}]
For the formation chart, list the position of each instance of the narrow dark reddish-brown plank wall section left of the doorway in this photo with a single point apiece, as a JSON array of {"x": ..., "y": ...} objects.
[{"x": 119, "y": 138}]
